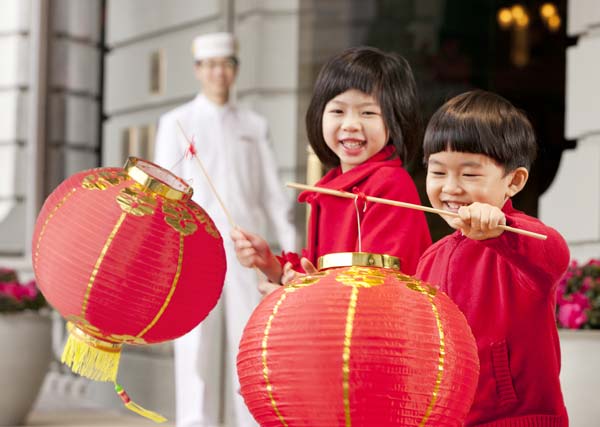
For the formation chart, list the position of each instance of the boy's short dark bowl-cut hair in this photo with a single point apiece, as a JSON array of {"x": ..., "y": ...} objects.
[{"x": 485, "y": 123}]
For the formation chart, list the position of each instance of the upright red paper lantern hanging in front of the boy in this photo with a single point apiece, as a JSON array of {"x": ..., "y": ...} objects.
[{"x": 358, "y": 345}]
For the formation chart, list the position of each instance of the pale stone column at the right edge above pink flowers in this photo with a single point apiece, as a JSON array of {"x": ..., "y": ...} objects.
[{"x": 572, "y": 203}]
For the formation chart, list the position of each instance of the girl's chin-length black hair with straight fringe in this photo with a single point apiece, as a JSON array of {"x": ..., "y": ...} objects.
[{"x": 385, "y": 76}]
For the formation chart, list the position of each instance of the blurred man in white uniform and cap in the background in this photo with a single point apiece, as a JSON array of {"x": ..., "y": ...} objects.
[{"x": 232, "y": 144}]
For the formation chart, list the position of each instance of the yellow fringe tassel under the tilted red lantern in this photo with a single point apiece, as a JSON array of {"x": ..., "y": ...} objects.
[{"x": 91, "y": 357}]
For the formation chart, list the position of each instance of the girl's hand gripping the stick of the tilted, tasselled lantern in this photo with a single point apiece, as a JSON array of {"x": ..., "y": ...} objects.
[{"x": 252, "y": 251}]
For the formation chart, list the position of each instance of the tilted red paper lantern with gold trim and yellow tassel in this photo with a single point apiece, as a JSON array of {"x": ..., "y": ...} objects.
[{"x": 126, "y": 257}]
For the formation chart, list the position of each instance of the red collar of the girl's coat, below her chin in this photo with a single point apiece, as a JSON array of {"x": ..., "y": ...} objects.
[{"x": 345, "y": 181}]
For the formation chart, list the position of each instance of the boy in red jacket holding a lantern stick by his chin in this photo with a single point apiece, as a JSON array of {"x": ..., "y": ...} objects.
[{"x": 479, "y": 148}]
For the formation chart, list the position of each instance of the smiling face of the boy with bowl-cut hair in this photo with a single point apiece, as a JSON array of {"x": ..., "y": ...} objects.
[{"x": 456, "y": 179}]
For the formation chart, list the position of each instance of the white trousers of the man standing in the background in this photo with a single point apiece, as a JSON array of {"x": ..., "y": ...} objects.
[{"x": 206, "y": 381}]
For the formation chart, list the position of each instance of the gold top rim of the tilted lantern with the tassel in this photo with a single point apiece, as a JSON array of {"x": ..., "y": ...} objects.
[{"x": 157, "y": 179}]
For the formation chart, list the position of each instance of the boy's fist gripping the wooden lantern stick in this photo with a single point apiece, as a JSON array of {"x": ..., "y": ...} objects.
[{"x": 479, "y": 221}]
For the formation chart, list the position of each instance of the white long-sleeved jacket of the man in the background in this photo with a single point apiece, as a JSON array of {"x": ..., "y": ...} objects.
[{"x": 233, "y": 146}]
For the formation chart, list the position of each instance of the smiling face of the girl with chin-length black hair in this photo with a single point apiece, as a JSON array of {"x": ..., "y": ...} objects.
[{"x": 353, "y": 127}]
